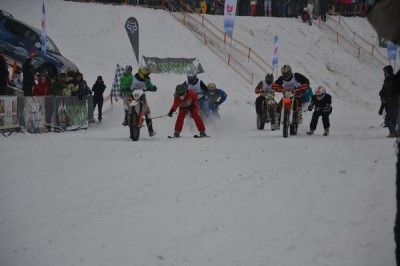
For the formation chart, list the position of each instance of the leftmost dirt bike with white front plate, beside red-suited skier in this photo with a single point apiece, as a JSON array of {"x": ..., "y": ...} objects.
[{"x": 136, "y": 113}]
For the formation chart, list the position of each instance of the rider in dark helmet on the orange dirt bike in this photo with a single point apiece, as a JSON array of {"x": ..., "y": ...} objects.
[{"x": 295, "y": 81}]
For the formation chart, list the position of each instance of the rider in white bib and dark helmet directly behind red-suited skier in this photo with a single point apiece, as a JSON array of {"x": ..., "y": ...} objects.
[{"x": 200, "y": 88}]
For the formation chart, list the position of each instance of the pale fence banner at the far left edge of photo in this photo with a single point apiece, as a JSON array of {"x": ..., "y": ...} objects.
[{"x": 8, "y": 112}]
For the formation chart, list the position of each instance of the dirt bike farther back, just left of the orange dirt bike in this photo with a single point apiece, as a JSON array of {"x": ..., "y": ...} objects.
[{"x": 268, "y": 110}]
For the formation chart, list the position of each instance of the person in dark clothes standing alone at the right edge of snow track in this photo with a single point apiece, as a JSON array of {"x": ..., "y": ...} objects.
[{"x": 390, "y": 98}]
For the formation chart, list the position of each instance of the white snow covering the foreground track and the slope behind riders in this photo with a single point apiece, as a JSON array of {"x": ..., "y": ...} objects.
[{"x": 240, "y": 197}]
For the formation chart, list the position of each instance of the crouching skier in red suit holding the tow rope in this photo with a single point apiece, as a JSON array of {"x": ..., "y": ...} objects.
[{"x": 186, "y": 100}]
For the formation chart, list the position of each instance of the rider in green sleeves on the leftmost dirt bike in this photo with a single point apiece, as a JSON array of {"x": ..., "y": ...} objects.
[{"x": 141, "y": 81}]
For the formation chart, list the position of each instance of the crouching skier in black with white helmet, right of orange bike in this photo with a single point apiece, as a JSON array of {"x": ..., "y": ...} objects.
[{"x": 322, "y": 104}]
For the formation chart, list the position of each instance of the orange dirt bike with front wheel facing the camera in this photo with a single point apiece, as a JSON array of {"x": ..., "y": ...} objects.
[{"x": 290, "y": 118}]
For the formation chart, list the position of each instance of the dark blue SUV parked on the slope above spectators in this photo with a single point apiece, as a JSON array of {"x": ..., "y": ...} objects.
[{"x": 20, "y": 41}]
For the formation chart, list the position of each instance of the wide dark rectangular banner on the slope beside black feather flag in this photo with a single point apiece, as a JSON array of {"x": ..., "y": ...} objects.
[{"x": 173, "y": 65}]
